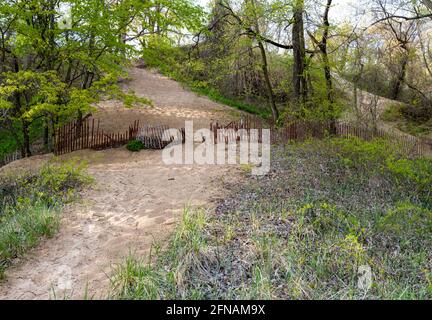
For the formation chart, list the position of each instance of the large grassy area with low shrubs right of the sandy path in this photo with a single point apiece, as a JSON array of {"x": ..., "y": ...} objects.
[{"x": 328, "y": 210}]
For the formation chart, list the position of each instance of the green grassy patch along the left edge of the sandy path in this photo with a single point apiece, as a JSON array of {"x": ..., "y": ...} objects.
[{"x": 31, "y": 204}]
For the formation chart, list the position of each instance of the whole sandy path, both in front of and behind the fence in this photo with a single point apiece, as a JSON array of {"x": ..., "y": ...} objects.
[{"x": 136, "y": 200}]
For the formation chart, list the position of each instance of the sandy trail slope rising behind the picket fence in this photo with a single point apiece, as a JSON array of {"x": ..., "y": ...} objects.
[{"x": 173, "y": 105}]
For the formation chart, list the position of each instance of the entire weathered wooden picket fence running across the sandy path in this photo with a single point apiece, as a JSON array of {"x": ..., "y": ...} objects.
[{"x": 87, "y": 135}]
